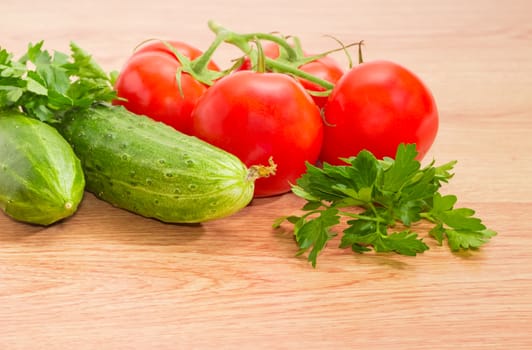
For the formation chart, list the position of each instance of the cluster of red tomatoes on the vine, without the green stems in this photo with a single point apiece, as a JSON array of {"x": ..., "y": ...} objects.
[{"x": 257, "y": 115}]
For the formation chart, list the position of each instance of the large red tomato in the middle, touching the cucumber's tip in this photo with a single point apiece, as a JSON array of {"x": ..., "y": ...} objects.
[{"x": 256, "y": 116}]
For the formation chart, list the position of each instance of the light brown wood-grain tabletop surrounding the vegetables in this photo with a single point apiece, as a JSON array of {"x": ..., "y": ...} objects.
[{"x": 107, "y": 279}]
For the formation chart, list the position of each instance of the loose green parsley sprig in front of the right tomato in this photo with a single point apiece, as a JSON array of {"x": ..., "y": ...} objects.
[{"x": 377, "y": 196}]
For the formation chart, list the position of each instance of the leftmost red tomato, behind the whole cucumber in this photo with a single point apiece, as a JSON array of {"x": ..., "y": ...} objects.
[{"x": 148, "y": 84}]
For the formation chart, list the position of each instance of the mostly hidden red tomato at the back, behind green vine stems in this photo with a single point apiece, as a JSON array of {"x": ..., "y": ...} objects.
[{"x": 326, "y": 68}]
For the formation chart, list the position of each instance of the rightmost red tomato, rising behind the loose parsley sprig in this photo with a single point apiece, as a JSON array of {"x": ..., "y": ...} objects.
[{"x": 377, "y": 106}]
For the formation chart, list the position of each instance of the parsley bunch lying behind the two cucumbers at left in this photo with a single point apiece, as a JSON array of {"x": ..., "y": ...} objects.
[{"x": 44, "y": 85}]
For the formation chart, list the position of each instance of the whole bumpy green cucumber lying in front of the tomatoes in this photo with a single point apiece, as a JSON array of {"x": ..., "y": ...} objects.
[{"x": 150, "y": 169}]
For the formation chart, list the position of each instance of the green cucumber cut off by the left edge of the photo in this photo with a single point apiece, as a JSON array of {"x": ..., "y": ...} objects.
[{"x": 41, "y": 179}]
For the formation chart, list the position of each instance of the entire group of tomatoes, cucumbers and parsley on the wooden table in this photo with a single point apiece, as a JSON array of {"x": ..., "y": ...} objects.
[{"x": 173, "y": 136}]
